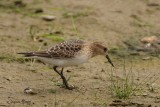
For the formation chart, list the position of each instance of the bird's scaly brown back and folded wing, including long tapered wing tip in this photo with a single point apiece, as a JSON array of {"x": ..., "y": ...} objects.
[{"x": 67, "y": 49}]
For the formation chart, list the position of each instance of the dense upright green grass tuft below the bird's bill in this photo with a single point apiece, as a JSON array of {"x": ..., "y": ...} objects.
[{"x": 123, "y": 87}]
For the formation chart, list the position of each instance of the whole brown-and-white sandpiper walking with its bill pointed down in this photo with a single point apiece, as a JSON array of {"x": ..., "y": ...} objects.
[{"x": 69, "y": 53}]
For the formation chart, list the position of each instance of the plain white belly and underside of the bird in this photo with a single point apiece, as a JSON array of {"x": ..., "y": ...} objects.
[{"x": 64, "y": 62}]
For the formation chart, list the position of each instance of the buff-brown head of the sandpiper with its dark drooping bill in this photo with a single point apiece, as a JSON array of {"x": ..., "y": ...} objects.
[{"x": 99, "y": 49}]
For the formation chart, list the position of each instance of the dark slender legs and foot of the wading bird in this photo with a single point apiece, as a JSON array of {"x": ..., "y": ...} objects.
[{"x": 65, "y": 83}]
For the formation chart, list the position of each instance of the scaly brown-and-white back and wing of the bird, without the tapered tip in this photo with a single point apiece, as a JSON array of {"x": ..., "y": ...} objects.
[{"x": 66, "y": 49}]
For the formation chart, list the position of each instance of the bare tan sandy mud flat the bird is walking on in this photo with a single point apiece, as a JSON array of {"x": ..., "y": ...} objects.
[{"x": 108, "y": 21}]
